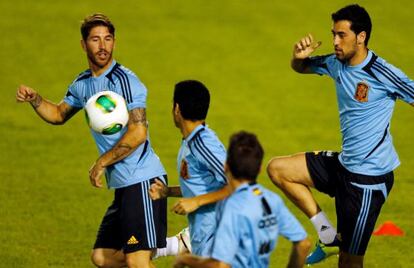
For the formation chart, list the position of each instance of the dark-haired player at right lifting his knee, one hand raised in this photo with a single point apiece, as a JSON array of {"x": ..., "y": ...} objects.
[{"x": 359, "y": 177}]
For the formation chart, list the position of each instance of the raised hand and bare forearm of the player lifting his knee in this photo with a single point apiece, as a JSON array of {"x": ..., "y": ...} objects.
[{"x": 301, "y": 52}]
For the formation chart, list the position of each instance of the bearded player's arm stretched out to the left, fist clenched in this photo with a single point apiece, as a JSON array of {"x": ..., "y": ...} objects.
[{"x": 52, "y": 113}]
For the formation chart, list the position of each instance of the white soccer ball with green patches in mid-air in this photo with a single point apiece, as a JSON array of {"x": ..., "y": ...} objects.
[{"x": 106, "y": 112}]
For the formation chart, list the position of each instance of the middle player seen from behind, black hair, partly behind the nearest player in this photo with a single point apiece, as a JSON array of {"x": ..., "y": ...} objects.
[{"x": 200, "y": 165}]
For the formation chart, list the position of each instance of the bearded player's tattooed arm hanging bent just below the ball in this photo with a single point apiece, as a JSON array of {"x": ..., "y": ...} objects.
[{"x": 133, "y": 137}]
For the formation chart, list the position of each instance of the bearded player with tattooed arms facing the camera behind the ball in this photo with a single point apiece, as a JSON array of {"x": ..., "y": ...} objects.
[{"x": 133, "y": 224}]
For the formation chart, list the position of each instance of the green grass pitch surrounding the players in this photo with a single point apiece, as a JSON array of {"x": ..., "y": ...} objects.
[{"x": 49, "y": 213}]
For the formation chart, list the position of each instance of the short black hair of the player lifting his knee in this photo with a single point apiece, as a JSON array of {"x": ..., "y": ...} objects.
[{"x": 359, "y": 18}]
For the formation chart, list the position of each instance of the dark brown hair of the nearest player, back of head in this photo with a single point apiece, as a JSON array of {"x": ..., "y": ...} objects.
[{"x": 244, "y": 156}]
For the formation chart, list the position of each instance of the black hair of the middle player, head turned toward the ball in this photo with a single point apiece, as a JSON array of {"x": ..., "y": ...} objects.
[{"x": 193, "y": 99}]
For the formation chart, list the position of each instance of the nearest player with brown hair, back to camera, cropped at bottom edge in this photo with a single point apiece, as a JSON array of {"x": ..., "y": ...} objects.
[{"x": 251, "y": 218}]
